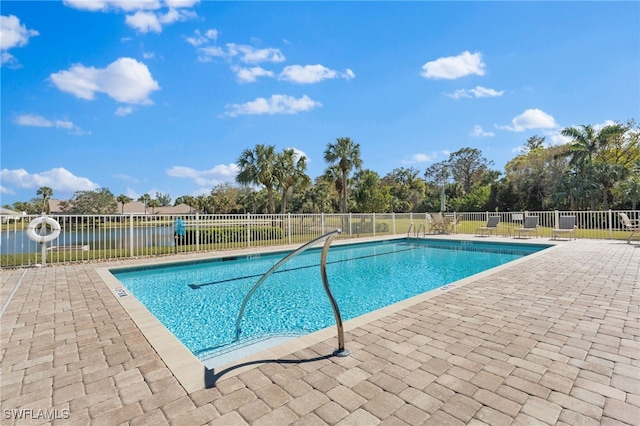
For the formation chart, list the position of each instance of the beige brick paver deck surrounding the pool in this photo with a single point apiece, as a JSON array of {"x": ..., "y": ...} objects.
[{"x": 551, "y": 340}]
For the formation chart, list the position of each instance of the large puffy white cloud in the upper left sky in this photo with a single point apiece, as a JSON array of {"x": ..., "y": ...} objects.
[{"x": 124, "y": 80}]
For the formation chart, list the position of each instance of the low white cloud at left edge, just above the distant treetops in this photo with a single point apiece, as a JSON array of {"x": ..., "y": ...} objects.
[{"x": 58, "y": 179}]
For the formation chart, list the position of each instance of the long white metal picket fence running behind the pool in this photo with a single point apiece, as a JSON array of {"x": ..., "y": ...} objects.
[{"x": 92, "y": 238}]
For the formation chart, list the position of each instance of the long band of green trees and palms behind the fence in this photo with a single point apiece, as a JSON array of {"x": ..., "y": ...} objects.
[{"x": 598, "y": 169}]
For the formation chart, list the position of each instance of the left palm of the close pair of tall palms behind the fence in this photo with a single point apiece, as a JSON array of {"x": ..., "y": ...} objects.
[{"x": 258, "y": 167}]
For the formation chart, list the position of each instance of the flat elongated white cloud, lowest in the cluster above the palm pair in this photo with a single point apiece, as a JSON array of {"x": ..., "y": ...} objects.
[{"x": 277, "y": 104}]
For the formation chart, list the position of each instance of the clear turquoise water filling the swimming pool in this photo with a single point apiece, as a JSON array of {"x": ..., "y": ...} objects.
[{"x": 199, "y": 301}]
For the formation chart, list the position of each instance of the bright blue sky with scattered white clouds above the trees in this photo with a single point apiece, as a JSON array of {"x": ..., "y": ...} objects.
[{"x": 146, "y": 96}]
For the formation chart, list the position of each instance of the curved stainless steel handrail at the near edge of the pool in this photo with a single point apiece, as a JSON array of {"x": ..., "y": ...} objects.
[{"x": 328, "y": 237}]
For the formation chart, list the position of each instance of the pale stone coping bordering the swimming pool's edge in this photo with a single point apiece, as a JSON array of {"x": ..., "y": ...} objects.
[{"x": 192, "y": 374}]
